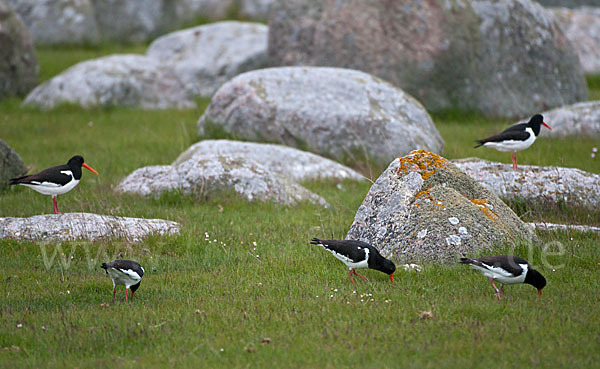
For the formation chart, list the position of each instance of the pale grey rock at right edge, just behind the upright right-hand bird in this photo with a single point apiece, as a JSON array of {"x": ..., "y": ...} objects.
[{"x": 582, "y": 119}]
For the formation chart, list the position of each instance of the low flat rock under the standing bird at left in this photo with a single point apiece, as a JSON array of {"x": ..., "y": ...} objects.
[{"x": 83, "y": 226}]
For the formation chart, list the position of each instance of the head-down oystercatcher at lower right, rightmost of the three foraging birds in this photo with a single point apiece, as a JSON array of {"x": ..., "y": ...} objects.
[{"x": 507, "y": 269}]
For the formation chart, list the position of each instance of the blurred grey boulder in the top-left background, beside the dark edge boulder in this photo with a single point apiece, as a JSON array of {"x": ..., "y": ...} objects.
[{"x": 58, "y": 21}]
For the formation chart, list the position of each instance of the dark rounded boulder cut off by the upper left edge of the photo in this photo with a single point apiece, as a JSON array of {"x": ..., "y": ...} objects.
[{"x": 18, "y": 65}]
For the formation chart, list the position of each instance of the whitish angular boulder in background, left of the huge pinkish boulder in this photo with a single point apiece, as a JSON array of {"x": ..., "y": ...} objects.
[{"x": 207, "y": 56}]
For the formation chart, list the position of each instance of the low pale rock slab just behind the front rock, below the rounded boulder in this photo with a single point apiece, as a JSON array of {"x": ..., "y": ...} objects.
[{"x": 282, "y": 160}]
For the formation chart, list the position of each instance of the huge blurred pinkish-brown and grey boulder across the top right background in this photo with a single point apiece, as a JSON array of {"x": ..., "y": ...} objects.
[{"x": 501, "y": 57}]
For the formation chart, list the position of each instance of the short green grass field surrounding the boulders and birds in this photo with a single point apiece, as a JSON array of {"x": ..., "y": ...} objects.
[{"x": 254, "y": 293}]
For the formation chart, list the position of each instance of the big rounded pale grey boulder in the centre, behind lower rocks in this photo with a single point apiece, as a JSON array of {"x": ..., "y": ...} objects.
[{"x": 338, "y": 113}]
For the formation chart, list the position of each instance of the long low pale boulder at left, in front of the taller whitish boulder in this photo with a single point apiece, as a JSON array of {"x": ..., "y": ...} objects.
[{"x": 117, "y": 80}]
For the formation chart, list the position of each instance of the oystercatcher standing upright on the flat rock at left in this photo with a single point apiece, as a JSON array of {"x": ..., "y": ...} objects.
[{"x": 56, "y": 180}]
